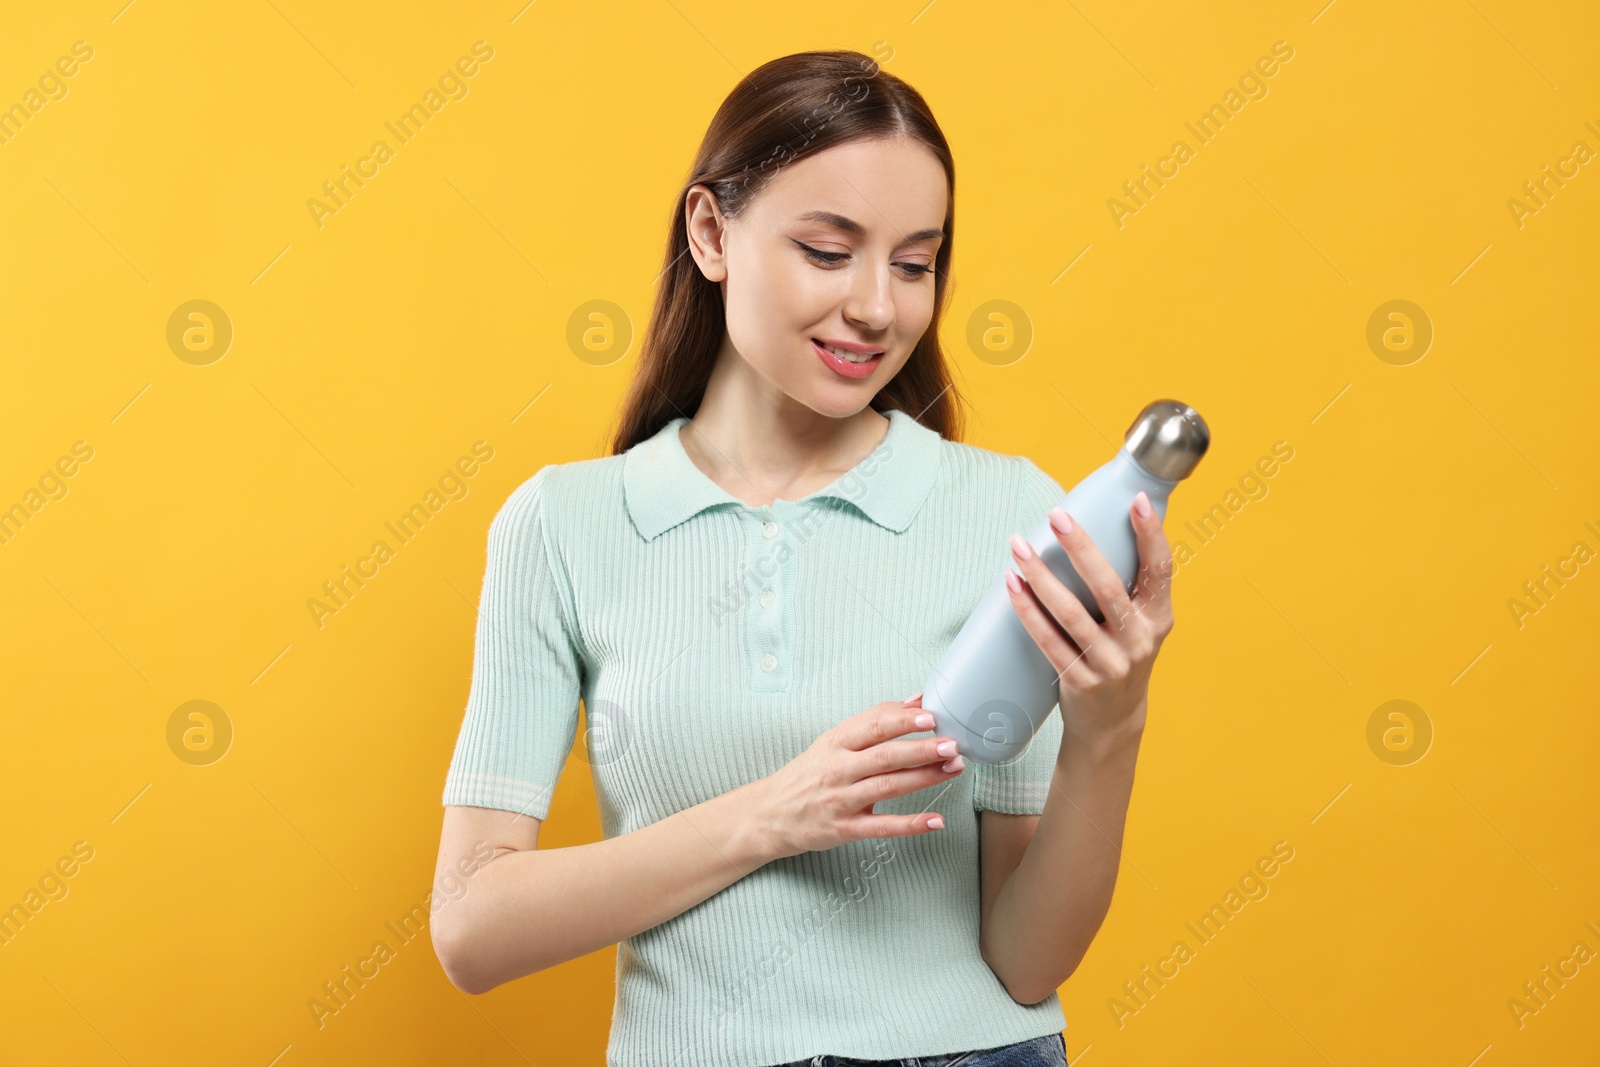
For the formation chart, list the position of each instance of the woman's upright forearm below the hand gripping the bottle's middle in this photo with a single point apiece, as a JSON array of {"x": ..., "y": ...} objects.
[{"x": 1052, "y": 906}]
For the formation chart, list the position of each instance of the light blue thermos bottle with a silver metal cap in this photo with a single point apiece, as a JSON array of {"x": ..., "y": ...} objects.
[{"x": 994, "y": 687}]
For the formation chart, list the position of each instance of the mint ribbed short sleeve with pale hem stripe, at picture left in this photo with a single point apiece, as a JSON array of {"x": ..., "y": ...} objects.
[{"x": 522, "y": 708}]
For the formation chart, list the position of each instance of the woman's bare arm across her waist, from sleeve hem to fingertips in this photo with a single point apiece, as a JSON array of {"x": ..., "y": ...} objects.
[{"x": 527, "y": 909}]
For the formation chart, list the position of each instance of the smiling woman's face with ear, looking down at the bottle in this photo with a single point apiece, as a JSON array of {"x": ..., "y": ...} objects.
[{"x": 831, "y": 260}]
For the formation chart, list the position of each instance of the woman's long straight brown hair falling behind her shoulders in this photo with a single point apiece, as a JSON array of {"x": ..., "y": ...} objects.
[{"x": 778, "y": 114}]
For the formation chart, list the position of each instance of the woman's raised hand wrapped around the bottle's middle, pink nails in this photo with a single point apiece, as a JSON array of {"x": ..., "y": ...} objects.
[{"x": 1105, "y": 668}]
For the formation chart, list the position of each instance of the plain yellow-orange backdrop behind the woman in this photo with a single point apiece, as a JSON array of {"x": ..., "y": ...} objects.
[{"x": 1430, "y": 879}]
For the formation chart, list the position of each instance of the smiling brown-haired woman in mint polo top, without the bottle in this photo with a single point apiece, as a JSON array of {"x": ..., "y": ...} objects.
[{"x": 786, "y": 537}]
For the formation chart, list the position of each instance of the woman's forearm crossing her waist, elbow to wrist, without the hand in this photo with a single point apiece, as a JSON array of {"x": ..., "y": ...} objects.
[{"x": 527, "y": 911}]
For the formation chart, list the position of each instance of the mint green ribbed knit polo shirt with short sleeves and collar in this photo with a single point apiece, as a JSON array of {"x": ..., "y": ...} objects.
[{"x": 711, "y": 642}]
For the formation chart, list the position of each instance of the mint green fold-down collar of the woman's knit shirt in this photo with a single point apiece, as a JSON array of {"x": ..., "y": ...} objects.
[{"x": 663, "y": 487}]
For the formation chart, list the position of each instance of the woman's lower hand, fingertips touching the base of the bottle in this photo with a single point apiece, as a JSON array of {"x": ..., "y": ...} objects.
[{"x": 825, "y": 797}]
